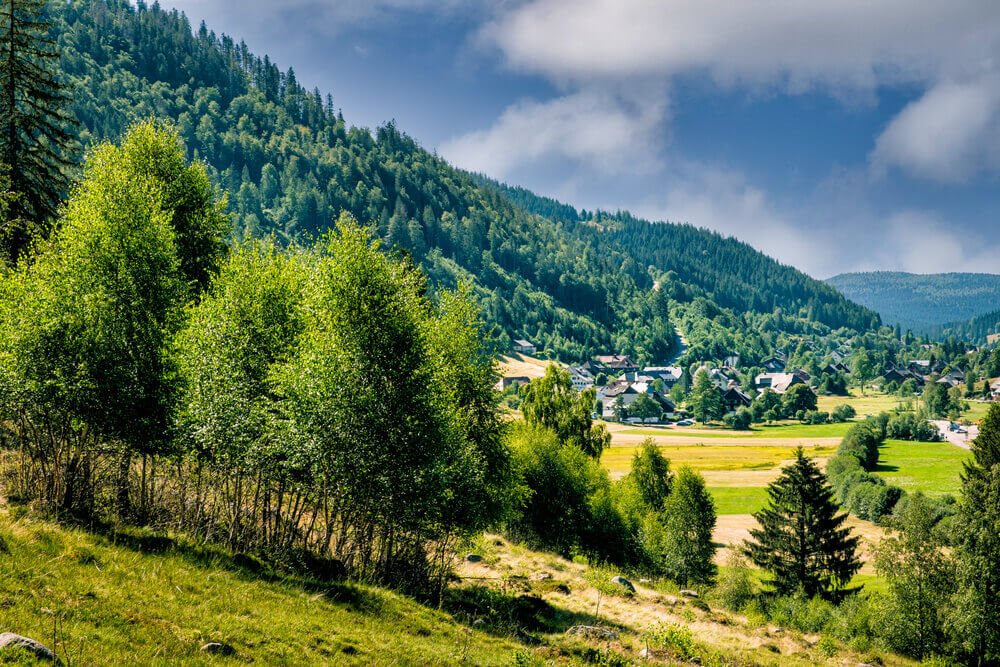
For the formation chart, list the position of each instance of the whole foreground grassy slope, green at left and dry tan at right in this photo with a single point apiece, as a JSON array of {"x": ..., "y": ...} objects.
[{"x": 118, "y": 604}]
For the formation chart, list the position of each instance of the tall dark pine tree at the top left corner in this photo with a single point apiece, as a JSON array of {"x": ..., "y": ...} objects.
[{"x": 35, "y": 143}]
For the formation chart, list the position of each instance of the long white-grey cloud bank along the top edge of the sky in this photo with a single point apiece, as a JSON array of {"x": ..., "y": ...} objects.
[{"x": 849, "y": 42}]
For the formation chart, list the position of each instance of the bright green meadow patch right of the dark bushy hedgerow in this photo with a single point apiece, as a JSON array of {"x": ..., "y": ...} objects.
[{"x": 931, "y": 467}]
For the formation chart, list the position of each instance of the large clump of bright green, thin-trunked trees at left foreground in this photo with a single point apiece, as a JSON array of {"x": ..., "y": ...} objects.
[{"x": 308, "y": 403}]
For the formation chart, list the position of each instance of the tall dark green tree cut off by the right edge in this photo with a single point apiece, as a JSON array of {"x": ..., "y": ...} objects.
[{"x": 975, "y": 622}]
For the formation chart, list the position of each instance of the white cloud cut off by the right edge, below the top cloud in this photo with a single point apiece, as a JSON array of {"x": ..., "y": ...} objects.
[{"x": 950, "y": 134}]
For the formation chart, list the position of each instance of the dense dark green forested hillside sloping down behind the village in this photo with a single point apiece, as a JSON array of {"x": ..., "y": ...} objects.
[{"x": 576, "y": 283}]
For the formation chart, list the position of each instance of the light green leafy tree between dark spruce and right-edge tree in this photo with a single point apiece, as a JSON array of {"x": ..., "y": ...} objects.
[{"x": 920, "y": 578}]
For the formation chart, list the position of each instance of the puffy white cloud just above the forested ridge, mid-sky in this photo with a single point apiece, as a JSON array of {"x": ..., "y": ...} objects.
[{"x": 603, "y": 130}]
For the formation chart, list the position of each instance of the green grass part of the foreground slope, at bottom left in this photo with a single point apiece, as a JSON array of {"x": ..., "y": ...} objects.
[{"x": 121, "y": 605}]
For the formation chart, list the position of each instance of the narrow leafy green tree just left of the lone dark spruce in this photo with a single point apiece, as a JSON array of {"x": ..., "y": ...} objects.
[{"x": 688, "y": 522}]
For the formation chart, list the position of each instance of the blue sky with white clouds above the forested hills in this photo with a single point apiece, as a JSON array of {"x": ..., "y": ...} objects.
[{"x": 836, "y": 136}]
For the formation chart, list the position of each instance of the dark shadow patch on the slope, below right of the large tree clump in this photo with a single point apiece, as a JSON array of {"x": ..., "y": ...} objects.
[{"x": 513, "y": 614}]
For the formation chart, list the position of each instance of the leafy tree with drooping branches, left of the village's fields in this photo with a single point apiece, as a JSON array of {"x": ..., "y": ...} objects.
[{"x": 550, "y": 401}]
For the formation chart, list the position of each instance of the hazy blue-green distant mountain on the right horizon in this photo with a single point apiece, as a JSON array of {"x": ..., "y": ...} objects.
[{"x": 921, "y": 302}]
